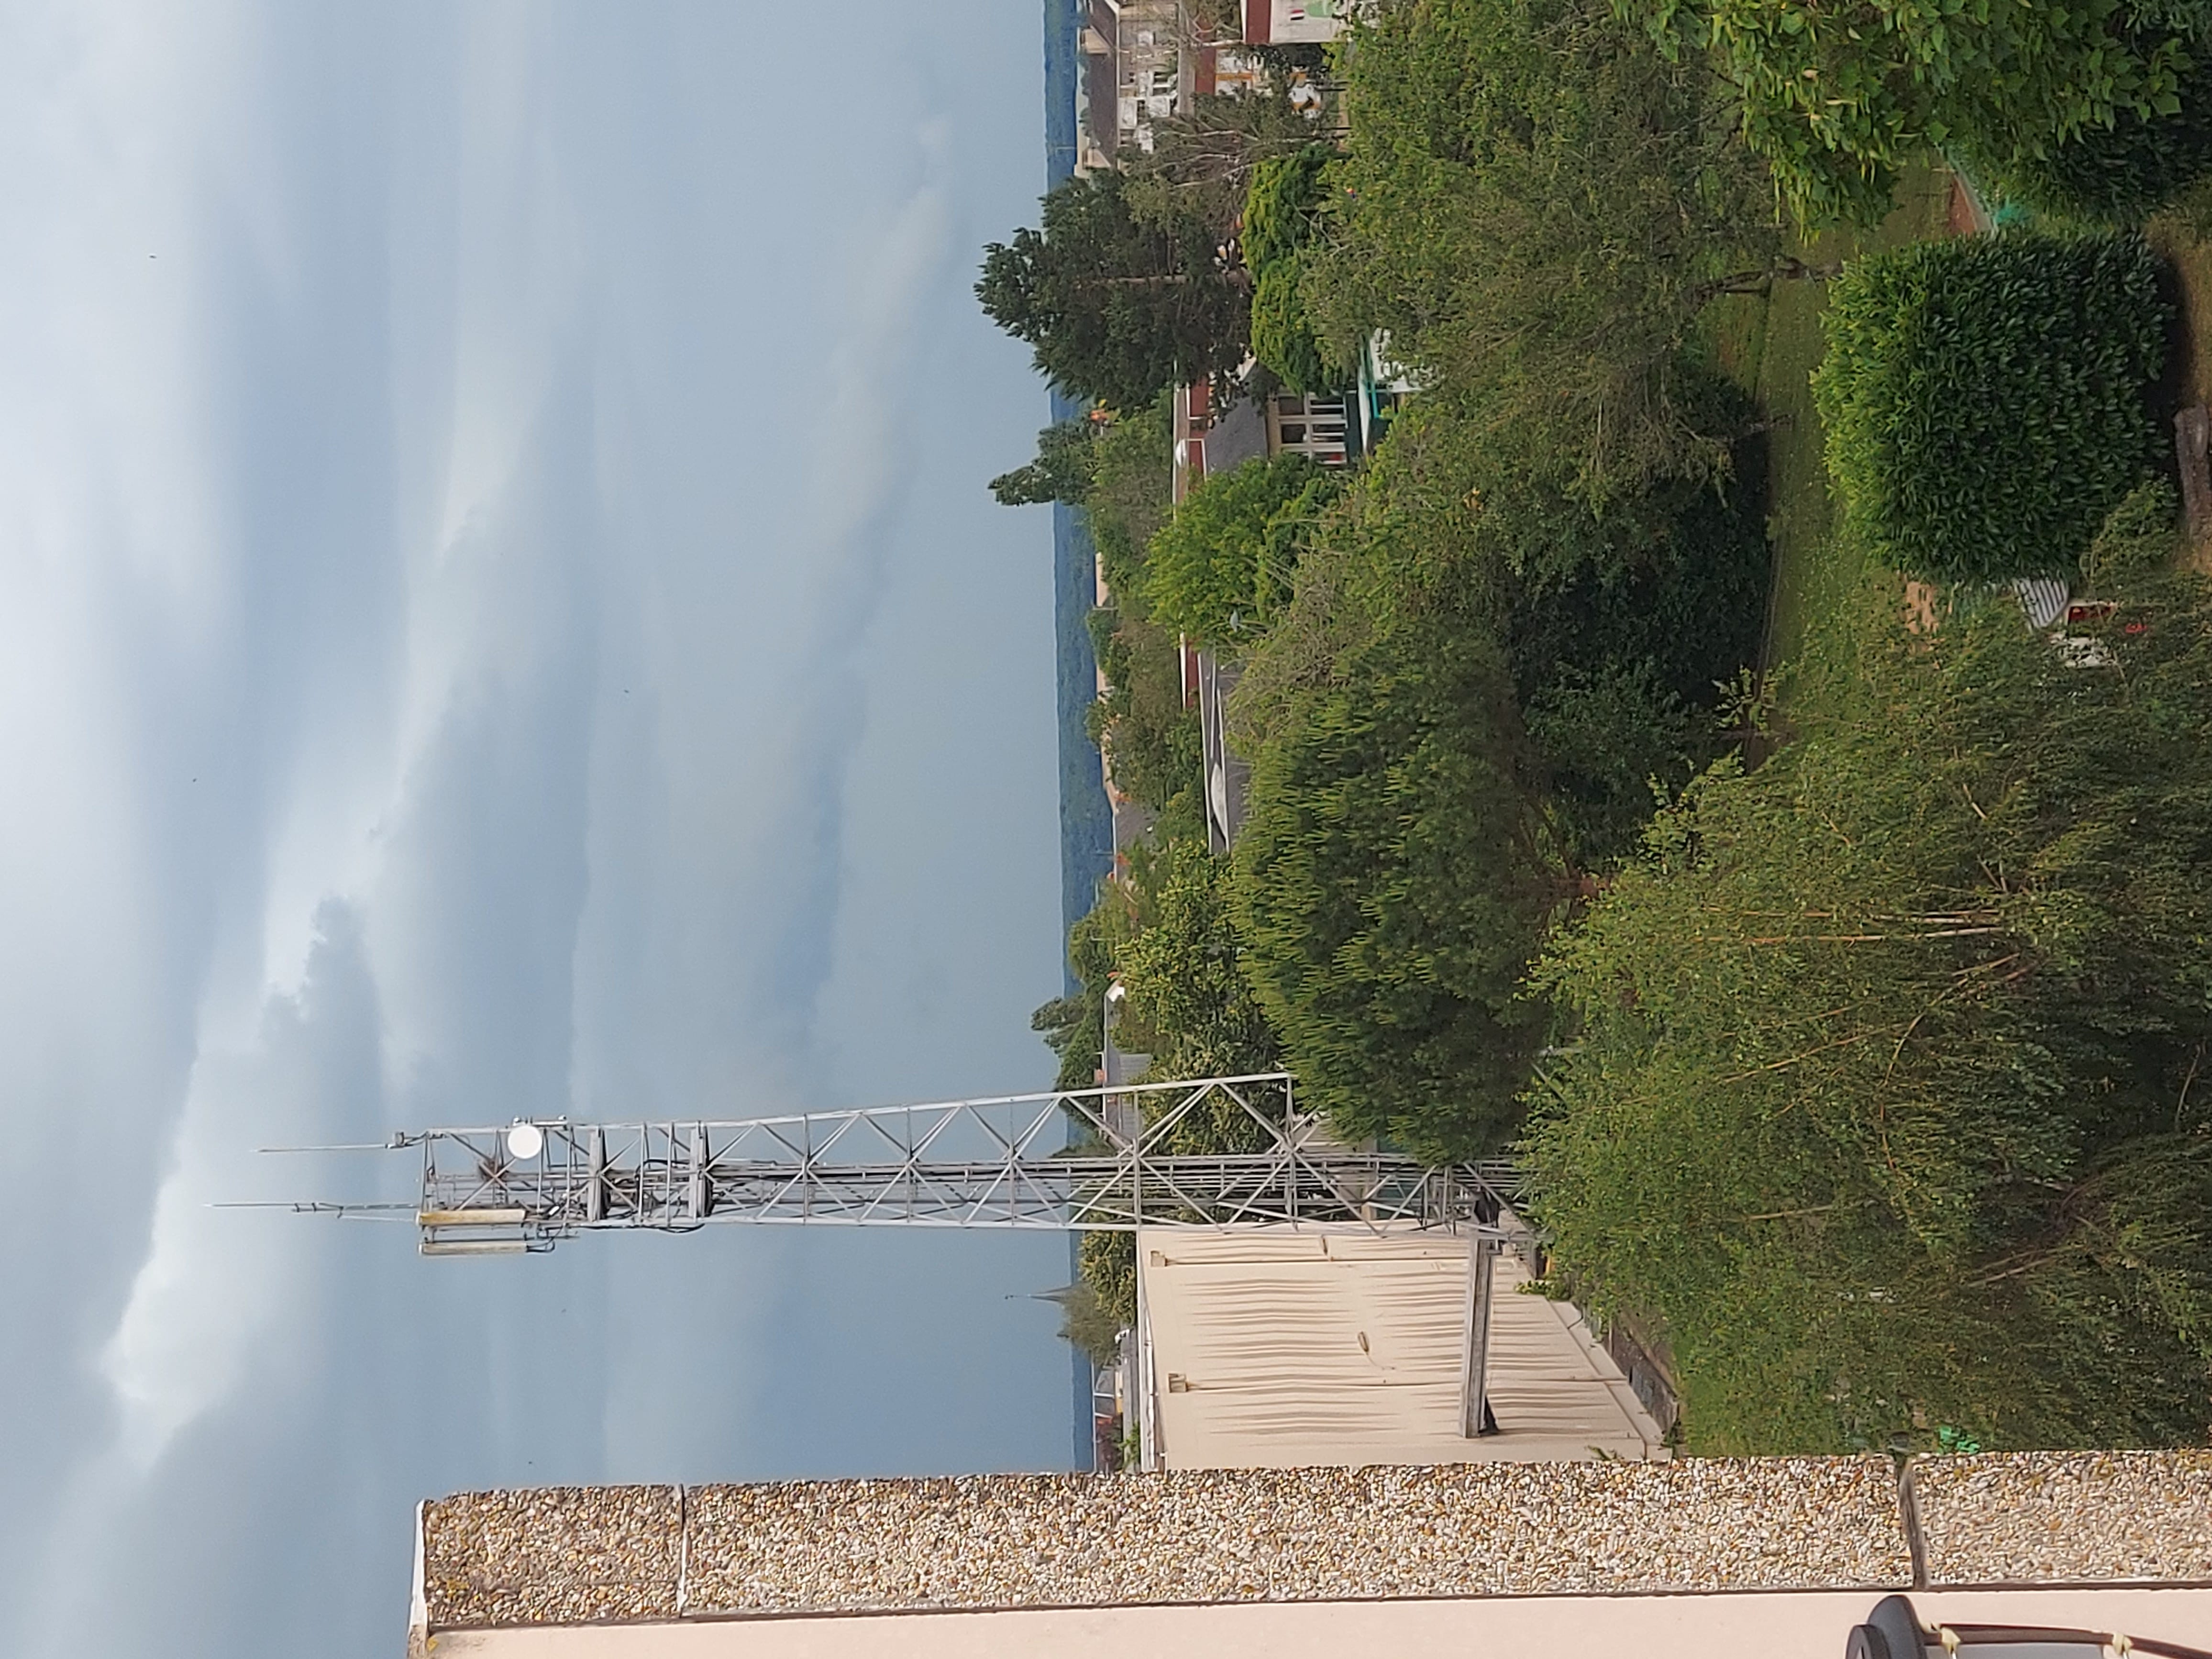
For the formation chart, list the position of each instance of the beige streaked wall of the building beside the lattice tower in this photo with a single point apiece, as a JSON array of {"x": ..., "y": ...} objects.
[{"x": 1282, "y": 1348}]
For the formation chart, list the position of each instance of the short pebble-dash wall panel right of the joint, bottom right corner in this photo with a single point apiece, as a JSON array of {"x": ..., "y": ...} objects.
[{"x": 2067, "y": 1516}]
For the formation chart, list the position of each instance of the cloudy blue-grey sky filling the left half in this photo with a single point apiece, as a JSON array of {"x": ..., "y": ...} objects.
[{"x": 499, "y": 616}]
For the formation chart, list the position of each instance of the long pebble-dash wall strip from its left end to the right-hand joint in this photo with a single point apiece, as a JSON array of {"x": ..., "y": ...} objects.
[{"x": 1189, "y": 1536}]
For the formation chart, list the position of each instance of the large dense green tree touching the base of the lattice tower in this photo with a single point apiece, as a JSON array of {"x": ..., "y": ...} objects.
[{"x": 1395, "y": 873}]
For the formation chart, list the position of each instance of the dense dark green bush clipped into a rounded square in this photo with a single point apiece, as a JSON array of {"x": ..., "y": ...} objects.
[{"x": 1987, "y": 399}]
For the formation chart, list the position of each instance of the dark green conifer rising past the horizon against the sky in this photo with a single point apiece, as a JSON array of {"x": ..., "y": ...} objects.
[{"x": 1118, "y": 309}]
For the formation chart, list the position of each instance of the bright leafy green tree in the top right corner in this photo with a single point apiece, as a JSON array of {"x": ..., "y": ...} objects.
[{"x": 1841, "y": 96}]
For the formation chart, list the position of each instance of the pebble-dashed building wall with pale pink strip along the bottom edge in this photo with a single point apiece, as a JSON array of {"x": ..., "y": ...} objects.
[{"x": 1379, "y": 1558}]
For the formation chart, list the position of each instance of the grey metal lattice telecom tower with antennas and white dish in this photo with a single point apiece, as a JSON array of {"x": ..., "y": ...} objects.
[{"x": 1085, "y": 1160}]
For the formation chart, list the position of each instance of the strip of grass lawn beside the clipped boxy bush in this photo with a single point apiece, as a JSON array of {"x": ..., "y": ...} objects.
[{"x": 1771, "y": 348}]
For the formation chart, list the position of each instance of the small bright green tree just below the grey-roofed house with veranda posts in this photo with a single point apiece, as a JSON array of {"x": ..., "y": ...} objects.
[{"x": 1224, "y": 563}]
